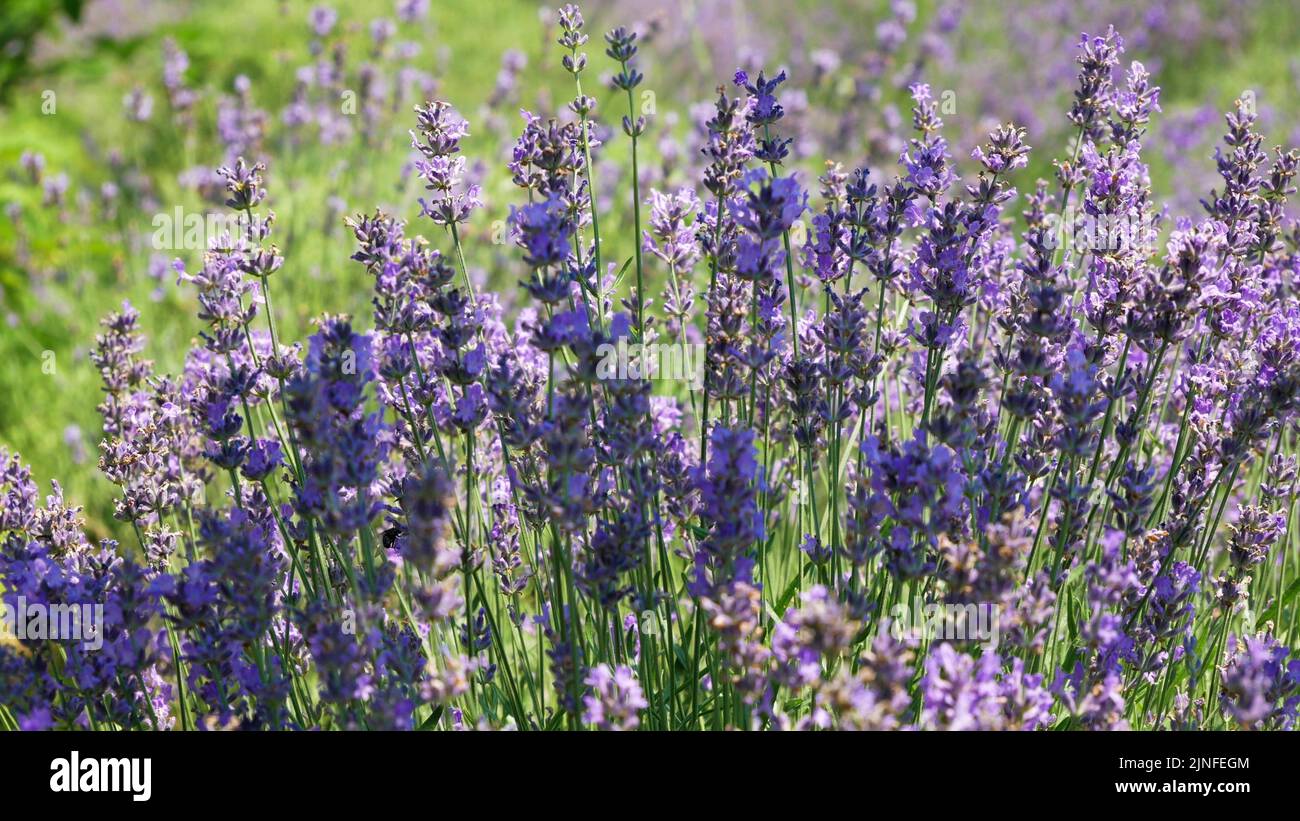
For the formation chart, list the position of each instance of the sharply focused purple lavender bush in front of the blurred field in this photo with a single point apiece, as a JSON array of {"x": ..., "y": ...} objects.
[{"x": 947, "y": 468}]
